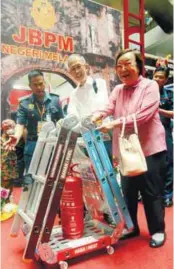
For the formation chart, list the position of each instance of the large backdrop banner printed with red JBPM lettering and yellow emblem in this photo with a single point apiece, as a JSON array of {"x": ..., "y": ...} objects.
[{"x": 43, "y": 33}]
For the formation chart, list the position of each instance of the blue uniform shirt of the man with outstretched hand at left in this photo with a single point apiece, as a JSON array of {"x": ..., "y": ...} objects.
[{"x": 28, "y": 113}]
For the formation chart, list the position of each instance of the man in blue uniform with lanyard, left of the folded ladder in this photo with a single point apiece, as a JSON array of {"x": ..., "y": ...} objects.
[{"x": 33, "y": 111}]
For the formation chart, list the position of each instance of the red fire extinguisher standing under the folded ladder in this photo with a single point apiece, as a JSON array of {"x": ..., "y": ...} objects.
[{"x": 71, "y": 206}]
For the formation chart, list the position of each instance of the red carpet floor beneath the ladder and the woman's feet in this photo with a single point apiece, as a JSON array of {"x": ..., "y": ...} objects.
[{"x": 130, "y": 254}]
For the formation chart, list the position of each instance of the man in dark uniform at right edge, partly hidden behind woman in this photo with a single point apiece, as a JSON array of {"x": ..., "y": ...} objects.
[{"x": 161, "y": 75}]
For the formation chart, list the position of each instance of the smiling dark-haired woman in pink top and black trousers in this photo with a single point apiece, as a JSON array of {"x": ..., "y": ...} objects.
[{"x": 140, "y": 96}]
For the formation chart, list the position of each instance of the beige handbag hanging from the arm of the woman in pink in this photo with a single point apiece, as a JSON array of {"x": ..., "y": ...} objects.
[{"x": 132, "y": 161}]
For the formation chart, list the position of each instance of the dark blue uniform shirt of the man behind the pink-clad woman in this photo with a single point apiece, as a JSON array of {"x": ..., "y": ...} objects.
[{"x": 166, "y": 102}]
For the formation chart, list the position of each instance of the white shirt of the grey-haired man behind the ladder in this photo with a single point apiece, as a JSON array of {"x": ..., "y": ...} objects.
[{"x": 84, "y": 101}]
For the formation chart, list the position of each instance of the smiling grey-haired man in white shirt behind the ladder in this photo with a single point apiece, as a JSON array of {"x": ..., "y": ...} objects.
[{"x": 90, "y": 94}]
